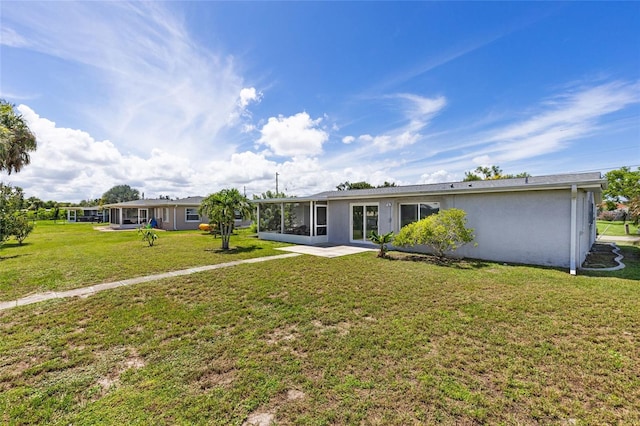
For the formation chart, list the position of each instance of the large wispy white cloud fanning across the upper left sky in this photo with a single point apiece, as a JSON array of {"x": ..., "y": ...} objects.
[{"x": 158, "y": 88}]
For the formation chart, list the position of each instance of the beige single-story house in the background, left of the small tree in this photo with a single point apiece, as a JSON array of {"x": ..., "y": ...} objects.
[{"x": 173, "y": 215}]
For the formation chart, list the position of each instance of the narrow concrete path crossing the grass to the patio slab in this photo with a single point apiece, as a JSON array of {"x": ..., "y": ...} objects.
[{"x": 87, "y": 291}]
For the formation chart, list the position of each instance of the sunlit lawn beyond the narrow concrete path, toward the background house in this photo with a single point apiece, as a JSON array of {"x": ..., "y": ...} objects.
[{"x": 63, "y": 256}]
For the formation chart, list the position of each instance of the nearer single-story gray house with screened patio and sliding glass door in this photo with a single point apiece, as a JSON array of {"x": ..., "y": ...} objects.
[{"x": 544, "y": 220}]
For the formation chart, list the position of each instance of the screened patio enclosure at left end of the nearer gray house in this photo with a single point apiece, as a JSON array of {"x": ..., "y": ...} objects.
[{"x": 293, "y": 221}]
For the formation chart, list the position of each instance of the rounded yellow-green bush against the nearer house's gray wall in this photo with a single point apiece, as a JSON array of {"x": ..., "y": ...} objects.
[{"x": 443, "y": 232}]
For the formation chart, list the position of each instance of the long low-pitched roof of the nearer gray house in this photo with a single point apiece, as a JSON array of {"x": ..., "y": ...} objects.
[{"x": 591, "y": 181}]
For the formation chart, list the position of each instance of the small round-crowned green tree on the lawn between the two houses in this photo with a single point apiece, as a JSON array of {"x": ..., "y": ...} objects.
[{"x": 221, "y": 208}]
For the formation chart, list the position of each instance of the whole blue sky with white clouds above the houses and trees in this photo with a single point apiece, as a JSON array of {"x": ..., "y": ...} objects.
[{"x": 186, "y": 98}]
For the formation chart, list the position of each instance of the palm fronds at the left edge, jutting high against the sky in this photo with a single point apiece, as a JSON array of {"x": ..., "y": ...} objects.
[{"x": 16, "y": 139}]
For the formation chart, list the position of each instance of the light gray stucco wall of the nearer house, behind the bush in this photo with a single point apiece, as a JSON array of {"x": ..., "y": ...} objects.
[{"x": 531, "y": 227}]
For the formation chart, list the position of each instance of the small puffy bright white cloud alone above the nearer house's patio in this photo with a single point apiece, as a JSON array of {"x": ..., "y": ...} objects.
[{"x": 297, "y": 135}]
